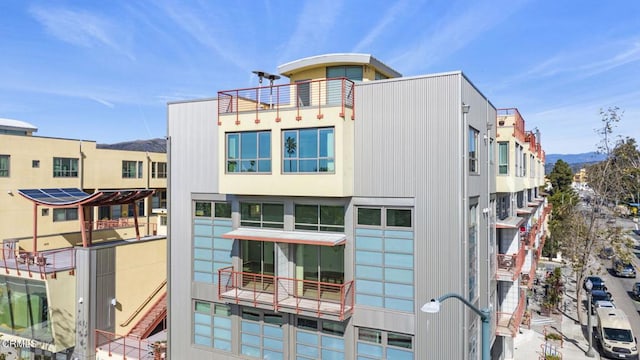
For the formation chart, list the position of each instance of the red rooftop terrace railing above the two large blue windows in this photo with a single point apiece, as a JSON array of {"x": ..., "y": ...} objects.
[{"x": 267, "y": 101}]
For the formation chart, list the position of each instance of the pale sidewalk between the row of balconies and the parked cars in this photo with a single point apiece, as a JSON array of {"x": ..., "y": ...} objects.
[{"x": 529, "y": 342}]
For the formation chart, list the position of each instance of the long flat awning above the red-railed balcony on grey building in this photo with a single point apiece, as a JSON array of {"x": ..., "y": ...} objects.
[{"x": 291, "y": 237}]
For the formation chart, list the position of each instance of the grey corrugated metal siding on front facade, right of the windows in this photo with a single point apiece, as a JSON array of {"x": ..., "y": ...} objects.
[{"x": 408, "y": 144}]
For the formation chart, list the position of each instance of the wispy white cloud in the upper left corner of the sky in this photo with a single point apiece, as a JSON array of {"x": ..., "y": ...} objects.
[{"x": 82, "y": 28}]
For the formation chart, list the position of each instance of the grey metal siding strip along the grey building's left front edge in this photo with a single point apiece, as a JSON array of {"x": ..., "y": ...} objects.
[{"x": 193, "y": 167}]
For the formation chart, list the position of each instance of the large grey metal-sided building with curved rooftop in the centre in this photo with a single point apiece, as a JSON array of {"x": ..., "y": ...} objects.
[{"x": 313, "y": 219}]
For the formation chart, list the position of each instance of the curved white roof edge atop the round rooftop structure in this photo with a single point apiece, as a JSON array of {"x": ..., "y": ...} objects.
[{"x": 342, "y": 58}]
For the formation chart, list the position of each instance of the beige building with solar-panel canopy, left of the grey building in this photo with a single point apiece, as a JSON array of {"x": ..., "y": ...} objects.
[{"x": 82, "y": 259}]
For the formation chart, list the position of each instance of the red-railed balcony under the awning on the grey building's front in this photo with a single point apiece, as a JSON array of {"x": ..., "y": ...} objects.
[{"x": 330, "y": 300}]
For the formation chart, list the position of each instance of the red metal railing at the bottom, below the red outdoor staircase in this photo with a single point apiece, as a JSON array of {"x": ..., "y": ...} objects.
[{"x": 125, "y": 346}]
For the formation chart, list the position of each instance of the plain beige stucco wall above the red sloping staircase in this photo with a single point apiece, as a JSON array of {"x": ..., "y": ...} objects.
[{"x": 141, "y": 267}]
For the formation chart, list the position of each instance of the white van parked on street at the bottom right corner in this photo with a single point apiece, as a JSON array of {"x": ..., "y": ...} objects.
[{"x": 615, "y": 335}]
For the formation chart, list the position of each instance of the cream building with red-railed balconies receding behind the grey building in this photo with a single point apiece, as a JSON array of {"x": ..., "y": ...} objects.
[{"x": 522, "y": 212}]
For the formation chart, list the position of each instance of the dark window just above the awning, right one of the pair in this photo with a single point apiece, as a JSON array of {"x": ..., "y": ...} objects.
[{"x": 319, "y": 217}]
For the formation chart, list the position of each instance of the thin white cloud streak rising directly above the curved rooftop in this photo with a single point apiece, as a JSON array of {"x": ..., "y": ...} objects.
[{"x": 312, "y": 28}]
